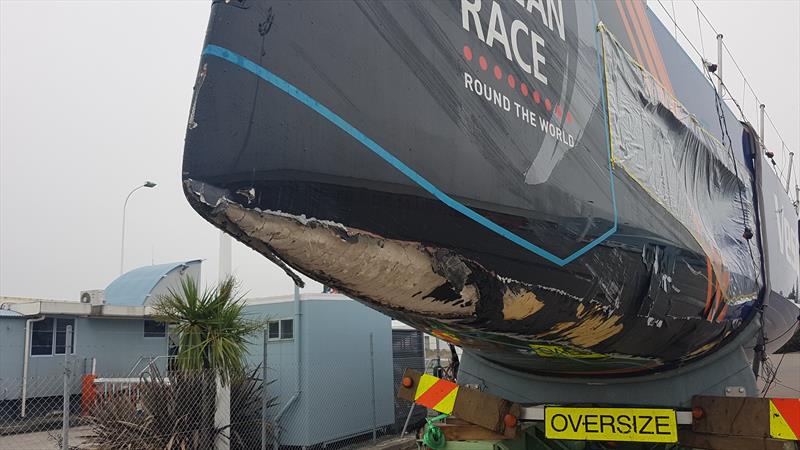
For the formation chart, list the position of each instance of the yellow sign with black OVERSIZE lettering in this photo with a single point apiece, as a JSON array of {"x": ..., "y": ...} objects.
[{"x": 611, "y": 424}]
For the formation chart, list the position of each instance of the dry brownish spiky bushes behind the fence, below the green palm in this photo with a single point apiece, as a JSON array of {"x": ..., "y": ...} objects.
[{"x": 162, "y": 413}]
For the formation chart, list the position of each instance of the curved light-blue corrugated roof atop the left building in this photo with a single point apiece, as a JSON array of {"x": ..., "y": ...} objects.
[{"x": 132, "y": 288}]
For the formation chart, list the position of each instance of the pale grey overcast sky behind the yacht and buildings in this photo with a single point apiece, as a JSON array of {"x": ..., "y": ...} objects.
[{"x": 94, "y": 97}]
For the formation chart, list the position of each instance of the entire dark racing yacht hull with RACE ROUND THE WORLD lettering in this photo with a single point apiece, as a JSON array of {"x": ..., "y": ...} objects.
[{"x": 508, "y": 179}]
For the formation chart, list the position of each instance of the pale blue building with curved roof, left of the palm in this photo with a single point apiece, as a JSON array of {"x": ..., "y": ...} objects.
[{"x": 112, "y": 335}]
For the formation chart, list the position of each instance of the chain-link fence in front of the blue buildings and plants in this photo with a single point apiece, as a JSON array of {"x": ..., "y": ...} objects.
[{"x": 81, "y": 400}]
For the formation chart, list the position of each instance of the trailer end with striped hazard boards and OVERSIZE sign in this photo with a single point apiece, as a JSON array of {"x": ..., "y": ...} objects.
[{"x": 472, "y": 419}]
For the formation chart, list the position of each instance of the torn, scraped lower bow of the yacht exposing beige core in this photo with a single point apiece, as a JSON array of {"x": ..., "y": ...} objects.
[{"x": 535, "y": 326}]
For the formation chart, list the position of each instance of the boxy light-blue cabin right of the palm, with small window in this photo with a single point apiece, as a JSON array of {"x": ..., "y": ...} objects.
[{"x": 331, "y": 359}]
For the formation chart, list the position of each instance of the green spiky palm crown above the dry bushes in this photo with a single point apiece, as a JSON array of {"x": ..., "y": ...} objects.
[{"x": 212, "y": 330}]
